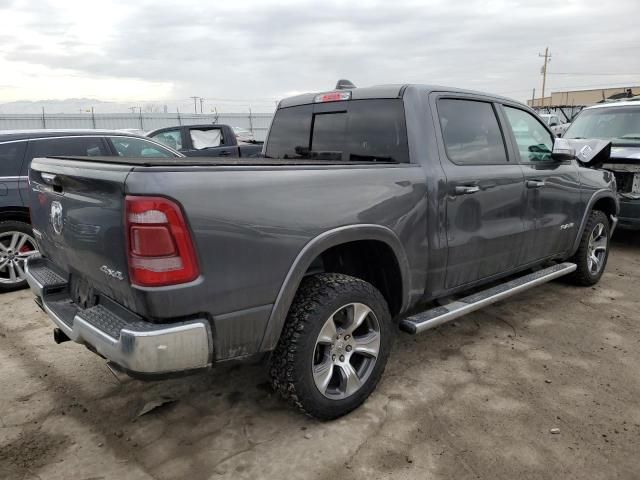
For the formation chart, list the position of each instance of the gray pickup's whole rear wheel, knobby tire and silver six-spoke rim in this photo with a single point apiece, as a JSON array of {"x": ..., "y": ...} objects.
[{"x": 334, "y": 345}]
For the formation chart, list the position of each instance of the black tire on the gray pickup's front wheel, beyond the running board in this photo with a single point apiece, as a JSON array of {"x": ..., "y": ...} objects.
[{"x": 585, "y": 275}]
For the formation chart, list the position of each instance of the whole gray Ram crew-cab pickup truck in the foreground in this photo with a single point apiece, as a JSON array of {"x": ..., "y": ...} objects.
[{"x": 369, "y": 208}]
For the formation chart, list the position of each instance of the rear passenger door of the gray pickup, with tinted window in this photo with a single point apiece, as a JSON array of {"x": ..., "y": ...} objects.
[{"x": 485, "y": 190}]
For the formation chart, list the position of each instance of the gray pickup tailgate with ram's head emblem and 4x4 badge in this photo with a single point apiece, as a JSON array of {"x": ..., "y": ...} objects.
[{"x": 77, "y": 214}]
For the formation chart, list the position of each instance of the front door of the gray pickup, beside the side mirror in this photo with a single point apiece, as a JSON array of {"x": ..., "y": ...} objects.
[{"x": 554, "y": 205}]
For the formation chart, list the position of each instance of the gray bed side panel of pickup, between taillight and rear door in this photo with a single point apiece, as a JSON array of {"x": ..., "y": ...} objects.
[{"x": 250, "y": 224}]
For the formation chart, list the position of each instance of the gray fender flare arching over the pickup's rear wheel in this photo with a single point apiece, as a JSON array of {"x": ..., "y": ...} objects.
[{"x": 315, "y": 249}]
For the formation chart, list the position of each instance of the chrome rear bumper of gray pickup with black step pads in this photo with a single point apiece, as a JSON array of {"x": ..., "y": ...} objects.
[{"x": 136, "y": 345}]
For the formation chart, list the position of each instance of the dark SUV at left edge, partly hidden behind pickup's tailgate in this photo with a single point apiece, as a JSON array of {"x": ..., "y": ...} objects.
[{"x": 17, "y": 149}]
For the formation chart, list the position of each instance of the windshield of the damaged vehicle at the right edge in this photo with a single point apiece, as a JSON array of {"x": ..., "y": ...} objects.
[{"x": 621, "y": 125}]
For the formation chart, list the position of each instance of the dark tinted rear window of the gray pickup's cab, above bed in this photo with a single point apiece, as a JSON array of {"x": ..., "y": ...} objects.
[{"x": 352, "y": 130}]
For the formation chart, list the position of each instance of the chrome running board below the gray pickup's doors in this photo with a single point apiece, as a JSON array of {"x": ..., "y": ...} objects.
[{"x": 422, "y": 321}]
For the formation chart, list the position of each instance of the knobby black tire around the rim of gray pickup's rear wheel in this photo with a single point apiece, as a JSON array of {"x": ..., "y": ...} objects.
[{"x": 320, "y": 298}]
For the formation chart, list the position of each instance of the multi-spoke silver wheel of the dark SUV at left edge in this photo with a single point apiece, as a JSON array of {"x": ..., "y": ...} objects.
[{"x": 16, "y": 246}]
